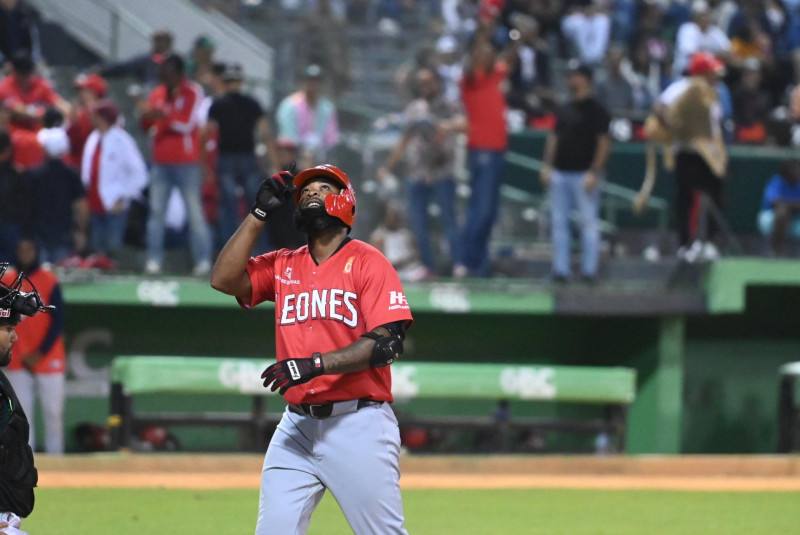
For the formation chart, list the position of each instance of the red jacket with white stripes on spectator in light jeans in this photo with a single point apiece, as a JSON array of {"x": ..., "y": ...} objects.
[{"x": 176, "y": 137}]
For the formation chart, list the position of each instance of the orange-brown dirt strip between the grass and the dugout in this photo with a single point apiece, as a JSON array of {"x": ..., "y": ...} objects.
[{"x": 203, "y": 471}]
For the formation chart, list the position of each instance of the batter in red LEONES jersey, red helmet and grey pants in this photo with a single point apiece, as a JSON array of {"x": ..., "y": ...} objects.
[{"x": 340, "y": 316}]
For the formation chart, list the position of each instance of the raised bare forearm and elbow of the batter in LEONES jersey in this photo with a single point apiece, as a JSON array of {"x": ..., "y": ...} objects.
[{"x": 229, "y": 274}]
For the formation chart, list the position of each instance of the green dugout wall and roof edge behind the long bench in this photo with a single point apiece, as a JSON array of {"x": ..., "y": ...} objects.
[{"x": 706, "y": 357}]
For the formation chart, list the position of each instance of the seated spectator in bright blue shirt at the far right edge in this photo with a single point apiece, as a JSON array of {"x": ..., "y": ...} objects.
[{"x": 780, "y": 207}]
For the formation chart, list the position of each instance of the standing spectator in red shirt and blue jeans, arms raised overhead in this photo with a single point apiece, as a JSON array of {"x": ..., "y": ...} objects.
[{"x": 487, "y": 138}]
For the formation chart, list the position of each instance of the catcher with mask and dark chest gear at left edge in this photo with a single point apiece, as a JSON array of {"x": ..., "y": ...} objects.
[{"x": 18, "y": 475}]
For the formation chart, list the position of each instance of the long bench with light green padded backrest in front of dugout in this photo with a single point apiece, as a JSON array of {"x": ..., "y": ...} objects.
[{"x": 613, "y": 388}]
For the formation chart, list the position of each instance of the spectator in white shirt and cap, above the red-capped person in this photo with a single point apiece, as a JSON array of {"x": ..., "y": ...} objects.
[{"x": 698, "y": 35}]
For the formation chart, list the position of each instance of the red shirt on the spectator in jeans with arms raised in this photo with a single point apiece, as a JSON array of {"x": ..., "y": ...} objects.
[{"x": 485, "y": 107}]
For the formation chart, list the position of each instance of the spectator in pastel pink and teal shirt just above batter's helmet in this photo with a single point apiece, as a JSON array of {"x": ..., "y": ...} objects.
[{"x": 307, "y": 120}]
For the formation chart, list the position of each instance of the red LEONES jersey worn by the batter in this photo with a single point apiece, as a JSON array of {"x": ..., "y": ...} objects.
[{"x": 320, "y": 308}]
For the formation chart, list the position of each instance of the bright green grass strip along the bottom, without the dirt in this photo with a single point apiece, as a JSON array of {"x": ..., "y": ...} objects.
[{"x": 435, "y": 512}]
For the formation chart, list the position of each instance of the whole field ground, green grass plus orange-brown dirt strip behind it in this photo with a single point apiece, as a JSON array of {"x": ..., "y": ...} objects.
[{"x": 177, "y": 494}]
